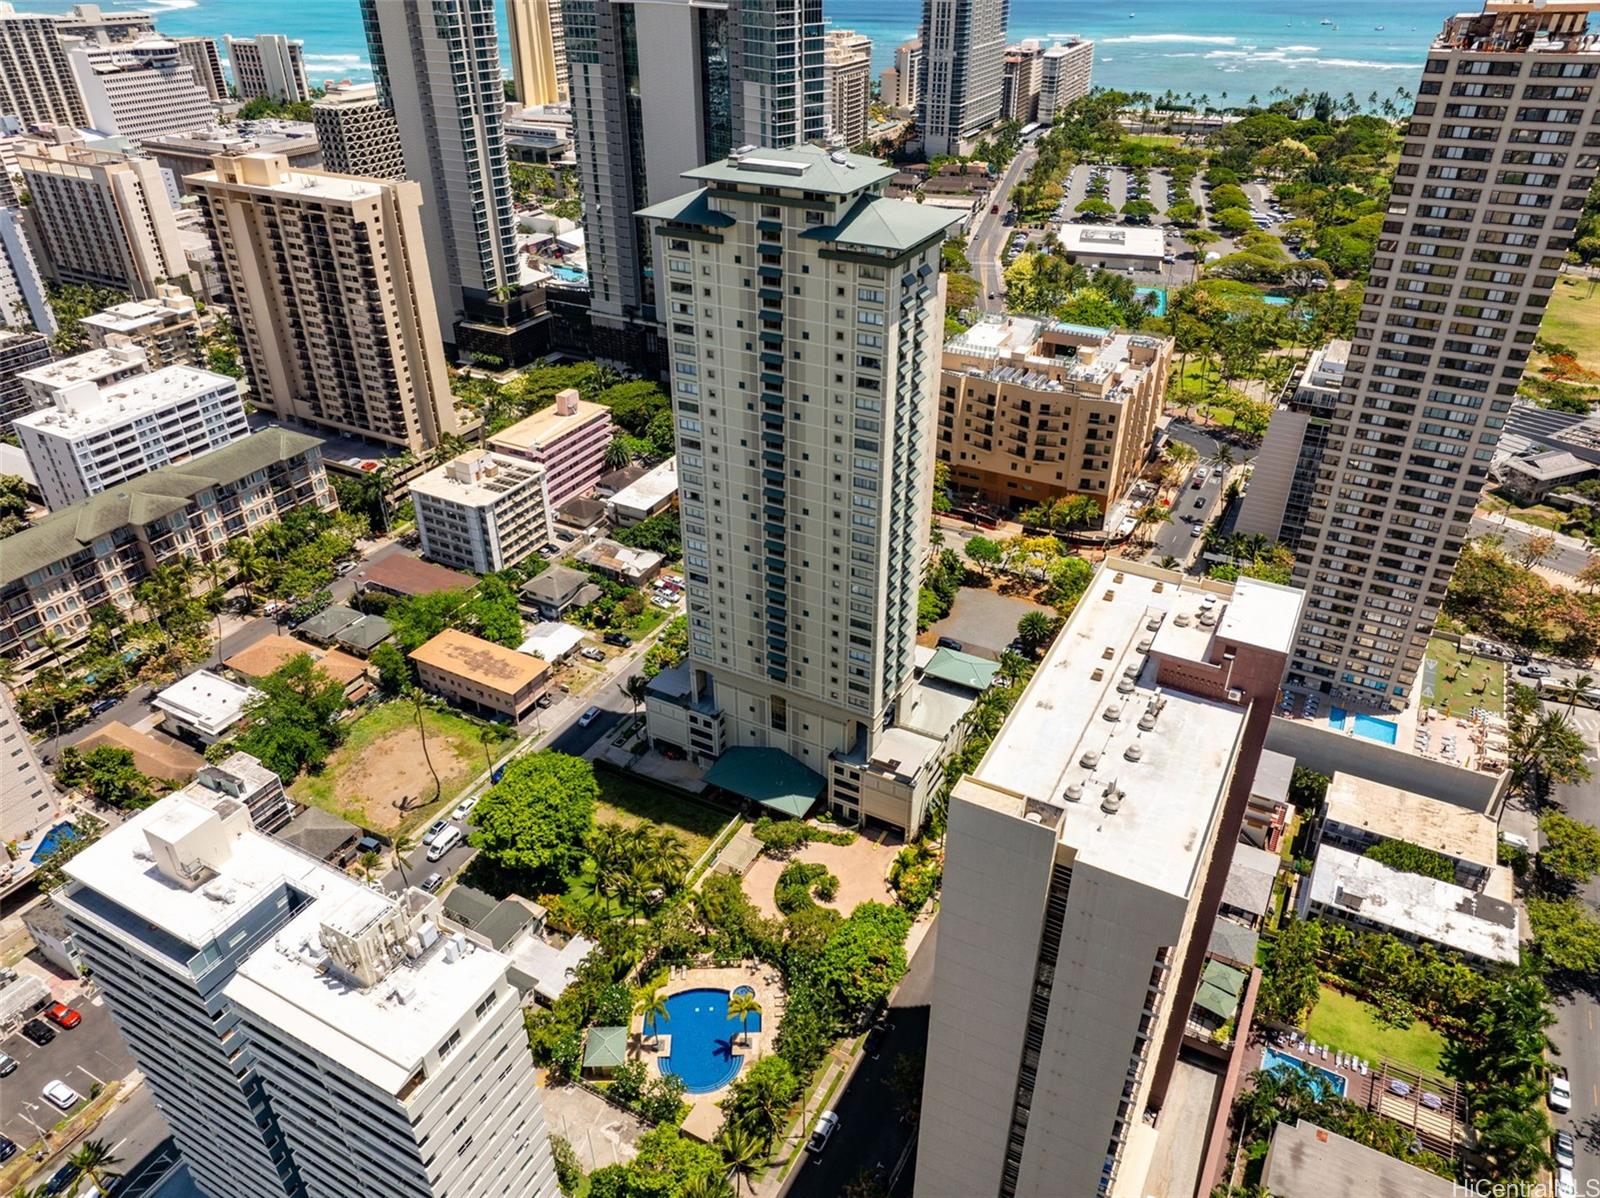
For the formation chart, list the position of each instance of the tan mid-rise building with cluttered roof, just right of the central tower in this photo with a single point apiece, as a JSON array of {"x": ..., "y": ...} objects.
[{"x": 1034, "y": 410}]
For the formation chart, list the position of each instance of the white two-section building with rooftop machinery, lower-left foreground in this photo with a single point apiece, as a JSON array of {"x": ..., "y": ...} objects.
[{"x": 302, "y": 1032}]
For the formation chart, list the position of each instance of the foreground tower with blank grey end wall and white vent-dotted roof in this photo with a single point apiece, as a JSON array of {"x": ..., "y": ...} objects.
[{"x": 1087, "y": 858}]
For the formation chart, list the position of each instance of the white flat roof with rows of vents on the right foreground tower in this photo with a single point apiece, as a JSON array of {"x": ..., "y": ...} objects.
[{"x": 1098, "y": 669}]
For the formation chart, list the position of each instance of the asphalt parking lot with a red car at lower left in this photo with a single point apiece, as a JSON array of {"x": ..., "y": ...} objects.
[{"x": 82, "y": 1056}]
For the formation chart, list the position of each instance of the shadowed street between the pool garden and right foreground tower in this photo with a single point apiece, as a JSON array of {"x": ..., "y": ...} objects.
[{"x": 871, "y": 1128}]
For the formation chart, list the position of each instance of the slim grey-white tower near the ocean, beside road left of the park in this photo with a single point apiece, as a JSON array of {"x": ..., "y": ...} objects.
[{"x": 964, "y": 42}]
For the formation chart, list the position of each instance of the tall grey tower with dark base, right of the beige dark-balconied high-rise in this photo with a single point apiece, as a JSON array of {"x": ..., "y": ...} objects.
[{"x": 439, "y": 71}]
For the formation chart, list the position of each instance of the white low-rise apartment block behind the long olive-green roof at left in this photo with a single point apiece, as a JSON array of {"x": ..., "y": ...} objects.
[{"x": 94, "y": 437}]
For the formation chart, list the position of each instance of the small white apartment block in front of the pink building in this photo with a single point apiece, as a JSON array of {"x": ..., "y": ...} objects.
[{"x": 482, "y": 513}]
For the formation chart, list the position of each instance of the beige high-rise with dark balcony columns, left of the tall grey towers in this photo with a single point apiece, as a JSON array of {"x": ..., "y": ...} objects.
[{"x": 329, "y": 284}]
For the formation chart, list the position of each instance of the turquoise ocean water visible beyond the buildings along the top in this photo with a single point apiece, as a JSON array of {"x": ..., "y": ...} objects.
[{"x": 1226, "y": 50}]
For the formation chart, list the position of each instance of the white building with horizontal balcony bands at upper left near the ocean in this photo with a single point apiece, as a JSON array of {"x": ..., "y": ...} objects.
[{"x": 140, "y": 89}]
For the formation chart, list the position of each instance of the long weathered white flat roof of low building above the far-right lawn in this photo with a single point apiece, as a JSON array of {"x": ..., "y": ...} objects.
[{"x": 1409, "y": 903}]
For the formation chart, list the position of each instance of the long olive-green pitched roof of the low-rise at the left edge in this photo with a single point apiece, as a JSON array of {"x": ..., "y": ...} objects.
[{"x": 143, "y": 500}]
